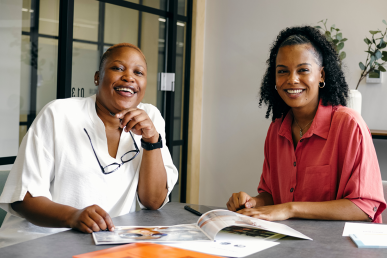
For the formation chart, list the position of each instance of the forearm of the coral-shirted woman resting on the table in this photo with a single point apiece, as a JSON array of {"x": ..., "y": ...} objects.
[{"x": 342, "y": 209}]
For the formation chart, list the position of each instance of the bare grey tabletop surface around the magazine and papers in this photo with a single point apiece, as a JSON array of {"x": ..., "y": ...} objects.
[{"x": 327, "y": 239}]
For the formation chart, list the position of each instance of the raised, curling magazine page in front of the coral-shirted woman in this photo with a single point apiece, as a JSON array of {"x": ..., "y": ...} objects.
[{"x": 214, "y": 221}]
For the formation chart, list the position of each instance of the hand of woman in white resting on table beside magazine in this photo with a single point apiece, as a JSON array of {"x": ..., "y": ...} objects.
[{"x": 89, "y": 219}]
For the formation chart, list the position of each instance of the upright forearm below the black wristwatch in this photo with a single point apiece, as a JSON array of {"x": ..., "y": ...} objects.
[{"x": 152, "y": 186}]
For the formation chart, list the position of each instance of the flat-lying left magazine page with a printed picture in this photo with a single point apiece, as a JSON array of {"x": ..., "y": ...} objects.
[{"x": 155, "y": 234}]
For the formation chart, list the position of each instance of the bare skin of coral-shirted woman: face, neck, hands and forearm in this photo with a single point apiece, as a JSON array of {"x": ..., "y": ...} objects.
[{"x": 297, "y": 79}]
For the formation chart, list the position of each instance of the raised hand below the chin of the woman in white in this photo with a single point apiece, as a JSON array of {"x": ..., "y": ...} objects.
[{"x": 139, "y": 122}]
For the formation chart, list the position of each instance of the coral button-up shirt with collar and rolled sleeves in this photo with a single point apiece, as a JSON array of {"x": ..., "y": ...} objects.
[{"x": 335, "y": 159}]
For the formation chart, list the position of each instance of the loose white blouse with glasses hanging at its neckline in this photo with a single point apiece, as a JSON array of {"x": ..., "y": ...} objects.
[{"x": 56, "y": 160}]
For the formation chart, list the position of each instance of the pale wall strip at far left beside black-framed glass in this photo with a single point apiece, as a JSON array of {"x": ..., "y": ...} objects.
[{"x": 10, "y": 27}]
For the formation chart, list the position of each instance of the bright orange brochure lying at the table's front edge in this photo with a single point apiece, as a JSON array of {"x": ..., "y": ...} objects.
[{"x": 143, "y": 250}]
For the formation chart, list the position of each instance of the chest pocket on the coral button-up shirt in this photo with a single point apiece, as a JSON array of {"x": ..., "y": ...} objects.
[{"x": 317, "y": 186}]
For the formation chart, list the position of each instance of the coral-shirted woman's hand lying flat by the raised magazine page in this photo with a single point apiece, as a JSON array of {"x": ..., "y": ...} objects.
[{"x": 270, "y": 212}]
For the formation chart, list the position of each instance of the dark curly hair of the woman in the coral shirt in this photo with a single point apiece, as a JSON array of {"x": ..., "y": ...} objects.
[{"x": 336, "y": 90}]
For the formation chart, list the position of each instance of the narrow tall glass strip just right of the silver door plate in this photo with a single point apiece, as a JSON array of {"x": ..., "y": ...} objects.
[{"x": 179, "y": 82}]
